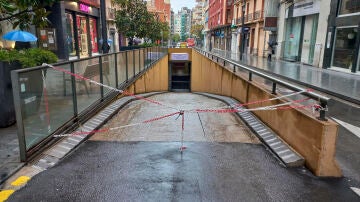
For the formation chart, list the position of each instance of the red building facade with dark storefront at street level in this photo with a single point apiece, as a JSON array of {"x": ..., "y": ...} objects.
[{"x": 220, "y": 18}]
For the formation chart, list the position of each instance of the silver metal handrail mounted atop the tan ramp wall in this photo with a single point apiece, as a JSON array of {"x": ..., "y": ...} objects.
[{"x": 224, "y": 60}]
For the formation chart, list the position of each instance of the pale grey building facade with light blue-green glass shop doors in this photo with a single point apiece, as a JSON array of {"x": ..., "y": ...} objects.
[{"x": 302, "y": 31}]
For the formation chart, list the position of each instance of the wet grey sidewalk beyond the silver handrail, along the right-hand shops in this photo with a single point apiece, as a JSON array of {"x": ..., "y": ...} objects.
[{"x": 339, "y": 84}]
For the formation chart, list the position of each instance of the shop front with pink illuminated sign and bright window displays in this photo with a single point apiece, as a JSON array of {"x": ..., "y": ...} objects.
[{"x": 82, "y": 22}]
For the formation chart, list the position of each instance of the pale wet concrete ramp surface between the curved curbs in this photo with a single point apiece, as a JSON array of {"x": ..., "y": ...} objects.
[{"x": 206, "y": 127}]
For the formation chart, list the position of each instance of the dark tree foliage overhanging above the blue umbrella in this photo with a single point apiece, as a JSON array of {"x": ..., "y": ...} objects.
[{"x": 24, "y": 13}]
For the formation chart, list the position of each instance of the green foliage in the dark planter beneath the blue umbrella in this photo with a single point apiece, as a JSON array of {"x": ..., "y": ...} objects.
[{"x": 31, "y": 57}]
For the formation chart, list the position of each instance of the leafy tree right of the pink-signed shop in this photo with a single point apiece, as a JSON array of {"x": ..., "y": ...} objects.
[{"x": 132, "y": 18}]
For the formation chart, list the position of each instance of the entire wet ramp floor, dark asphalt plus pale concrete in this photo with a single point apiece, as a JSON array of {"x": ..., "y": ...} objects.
[{"x": 143, "y": 163}]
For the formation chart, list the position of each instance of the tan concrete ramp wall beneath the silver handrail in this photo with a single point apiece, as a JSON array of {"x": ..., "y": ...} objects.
[{"x": 313, "y": 139}]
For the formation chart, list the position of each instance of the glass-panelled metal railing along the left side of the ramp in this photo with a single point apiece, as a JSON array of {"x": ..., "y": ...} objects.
[{"x": 50, "y": 101}]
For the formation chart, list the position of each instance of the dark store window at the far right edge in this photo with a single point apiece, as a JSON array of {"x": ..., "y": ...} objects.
[{"x": 345, "y": 47}]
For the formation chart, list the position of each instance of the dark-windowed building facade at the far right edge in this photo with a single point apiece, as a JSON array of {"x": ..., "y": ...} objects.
[{"x": 342, "y": 36}]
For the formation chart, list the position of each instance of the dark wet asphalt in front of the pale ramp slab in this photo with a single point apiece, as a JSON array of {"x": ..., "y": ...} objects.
[{"x": 156, "y": 171}]
